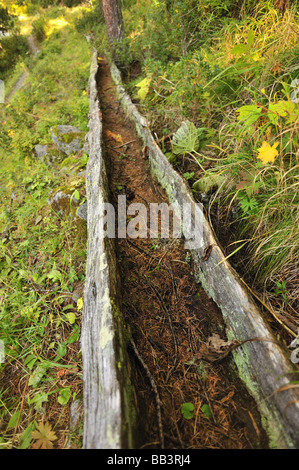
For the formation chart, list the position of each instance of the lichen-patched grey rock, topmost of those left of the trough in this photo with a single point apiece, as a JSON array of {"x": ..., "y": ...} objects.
[{"x": 68, "y": 139}]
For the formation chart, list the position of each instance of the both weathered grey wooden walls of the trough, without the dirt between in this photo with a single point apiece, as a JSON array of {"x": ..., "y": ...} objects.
[{"x": 263, "y": 366}]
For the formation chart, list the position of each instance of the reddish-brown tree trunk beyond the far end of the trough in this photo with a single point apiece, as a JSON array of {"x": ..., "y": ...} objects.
[{"x": 113, "y": 19}]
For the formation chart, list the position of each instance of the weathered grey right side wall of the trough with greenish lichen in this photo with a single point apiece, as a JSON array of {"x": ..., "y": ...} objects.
[{"x": 261, "y": 365}]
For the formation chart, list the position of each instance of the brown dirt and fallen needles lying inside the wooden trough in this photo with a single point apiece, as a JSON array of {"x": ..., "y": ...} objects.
[{"x": 169, "y": 316}]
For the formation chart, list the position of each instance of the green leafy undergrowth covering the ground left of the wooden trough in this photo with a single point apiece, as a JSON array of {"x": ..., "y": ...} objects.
[{"x": 42, "y": 259}]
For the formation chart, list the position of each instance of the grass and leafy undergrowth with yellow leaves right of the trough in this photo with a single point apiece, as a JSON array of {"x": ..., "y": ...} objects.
[{"x": 218, "y": 86}]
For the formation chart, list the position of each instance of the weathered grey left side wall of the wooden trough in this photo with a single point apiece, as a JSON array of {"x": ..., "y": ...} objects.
[{"x": 108, "y": 407}]
